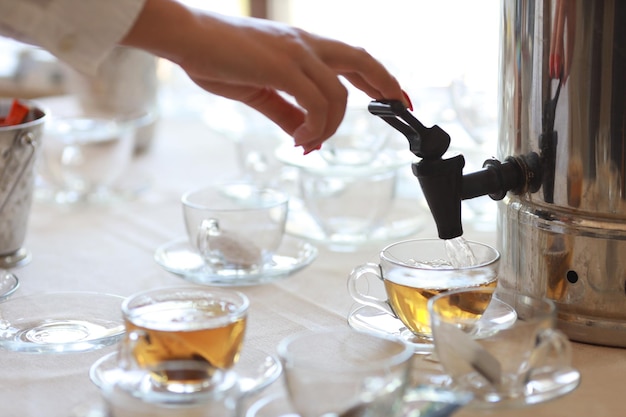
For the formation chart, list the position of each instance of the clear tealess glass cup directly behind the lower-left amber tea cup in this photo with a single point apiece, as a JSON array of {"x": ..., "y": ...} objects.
[{"x": 235, "y": 227}]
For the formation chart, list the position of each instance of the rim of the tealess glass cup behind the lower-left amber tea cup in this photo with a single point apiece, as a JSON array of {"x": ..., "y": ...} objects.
[{"x": 278, "y": 197}]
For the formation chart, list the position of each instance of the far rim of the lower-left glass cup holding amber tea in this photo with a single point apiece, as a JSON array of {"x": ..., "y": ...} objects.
[{"x": 241, "y": 309}]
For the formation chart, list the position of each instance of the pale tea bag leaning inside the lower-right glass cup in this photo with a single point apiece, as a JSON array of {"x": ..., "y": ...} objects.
[{"x": 473, "y": 353}]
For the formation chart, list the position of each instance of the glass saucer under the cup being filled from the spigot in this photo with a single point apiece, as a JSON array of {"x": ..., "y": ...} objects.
[{"x": 366, "y": 318}]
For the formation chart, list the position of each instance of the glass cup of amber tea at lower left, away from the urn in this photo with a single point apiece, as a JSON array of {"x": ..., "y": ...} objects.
[{"x": 184, "y": 325}]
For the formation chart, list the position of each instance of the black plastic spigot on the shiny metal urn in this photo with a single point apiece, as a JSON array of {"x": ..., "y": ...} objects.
[{"x": 441, "y": 176}]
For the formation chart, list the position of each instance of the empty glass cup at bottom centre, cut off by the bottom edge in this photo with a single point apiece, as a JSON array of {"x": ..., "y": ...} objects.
[{"x": 342, "y": 372}]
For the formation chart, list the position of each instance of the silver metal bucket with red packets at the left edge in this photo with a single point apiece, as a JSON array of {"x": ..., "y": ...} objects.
[{"x": 19, "y": 146}]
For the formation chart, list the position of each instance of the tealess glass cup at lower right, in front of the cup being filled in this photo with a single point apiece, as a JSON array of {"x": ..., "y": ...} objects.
[{"x": 524, "y": 361}]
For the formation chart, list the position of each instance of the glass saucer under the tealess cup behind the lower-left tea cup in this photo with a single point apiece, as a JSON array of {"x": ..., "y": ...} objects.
[{"x": 180, "y": 258}]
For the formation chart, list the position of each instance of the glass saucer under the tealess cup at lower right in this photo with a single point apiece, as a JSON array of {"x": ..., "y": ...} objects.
[{"x": 542, "y": 386}]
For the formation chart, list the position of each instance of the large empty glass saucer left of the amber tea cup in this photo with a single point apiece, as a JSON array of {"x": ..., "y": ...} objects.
[{"x": 60, "y": 322}]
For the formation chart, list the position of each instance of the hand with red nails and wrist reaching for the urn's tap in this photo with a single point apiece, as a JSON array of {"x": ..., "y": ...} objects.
[{"x": 263, "y": 64}]
